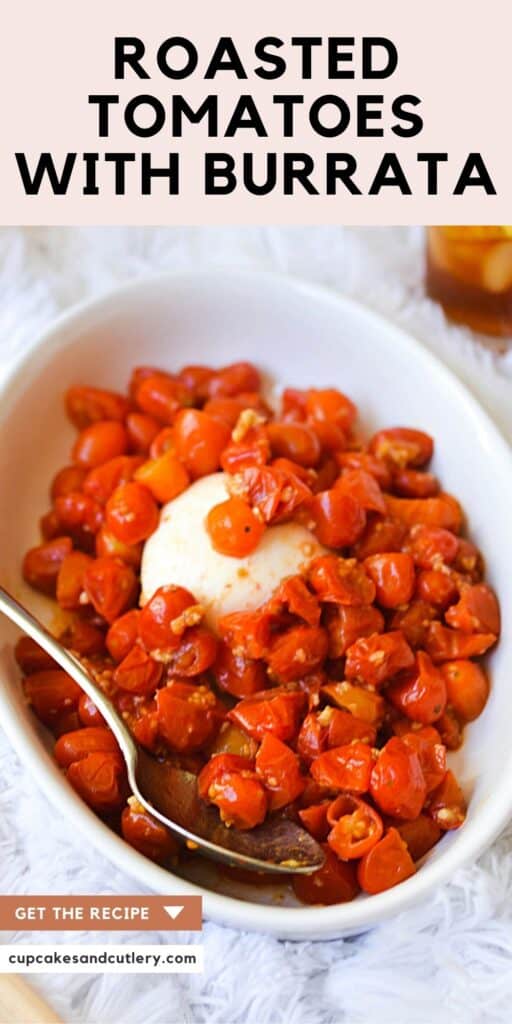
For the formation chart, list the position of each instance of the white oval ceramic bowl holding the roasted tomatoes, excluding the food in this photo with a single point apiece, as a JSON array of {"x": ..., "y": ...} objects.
[{"x": 301, "y": 336}]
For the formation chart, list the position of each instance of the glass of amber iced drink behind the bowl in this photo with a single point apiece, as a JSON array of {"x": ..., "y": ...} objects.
[{"x": 470, "y": 272}]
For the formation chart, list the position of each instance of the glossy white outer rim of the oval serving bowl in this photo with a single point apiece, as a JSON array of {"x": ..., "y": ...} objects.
[{"x": 308, "y": 922}]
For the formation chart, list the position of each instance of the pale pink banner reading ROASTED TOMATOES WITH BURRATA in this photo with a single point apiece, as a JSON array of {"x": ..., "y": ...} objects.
[{"x": 353, "y": 113}]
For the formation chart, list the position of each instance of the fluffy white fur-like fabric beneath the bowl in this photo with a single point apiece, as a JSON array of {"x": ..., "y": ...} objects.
[{"x": 450, "y": 961}]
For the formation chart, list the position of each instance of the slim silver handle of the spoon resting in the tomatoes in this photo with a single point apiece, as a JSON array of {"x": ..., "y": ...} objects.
[{"x": 18, "y": 615}]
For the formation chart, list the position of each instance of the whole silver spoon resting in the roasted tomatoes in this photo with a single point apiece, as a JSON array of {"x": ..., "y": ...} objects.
[{"x": 170, "y": 795}]
